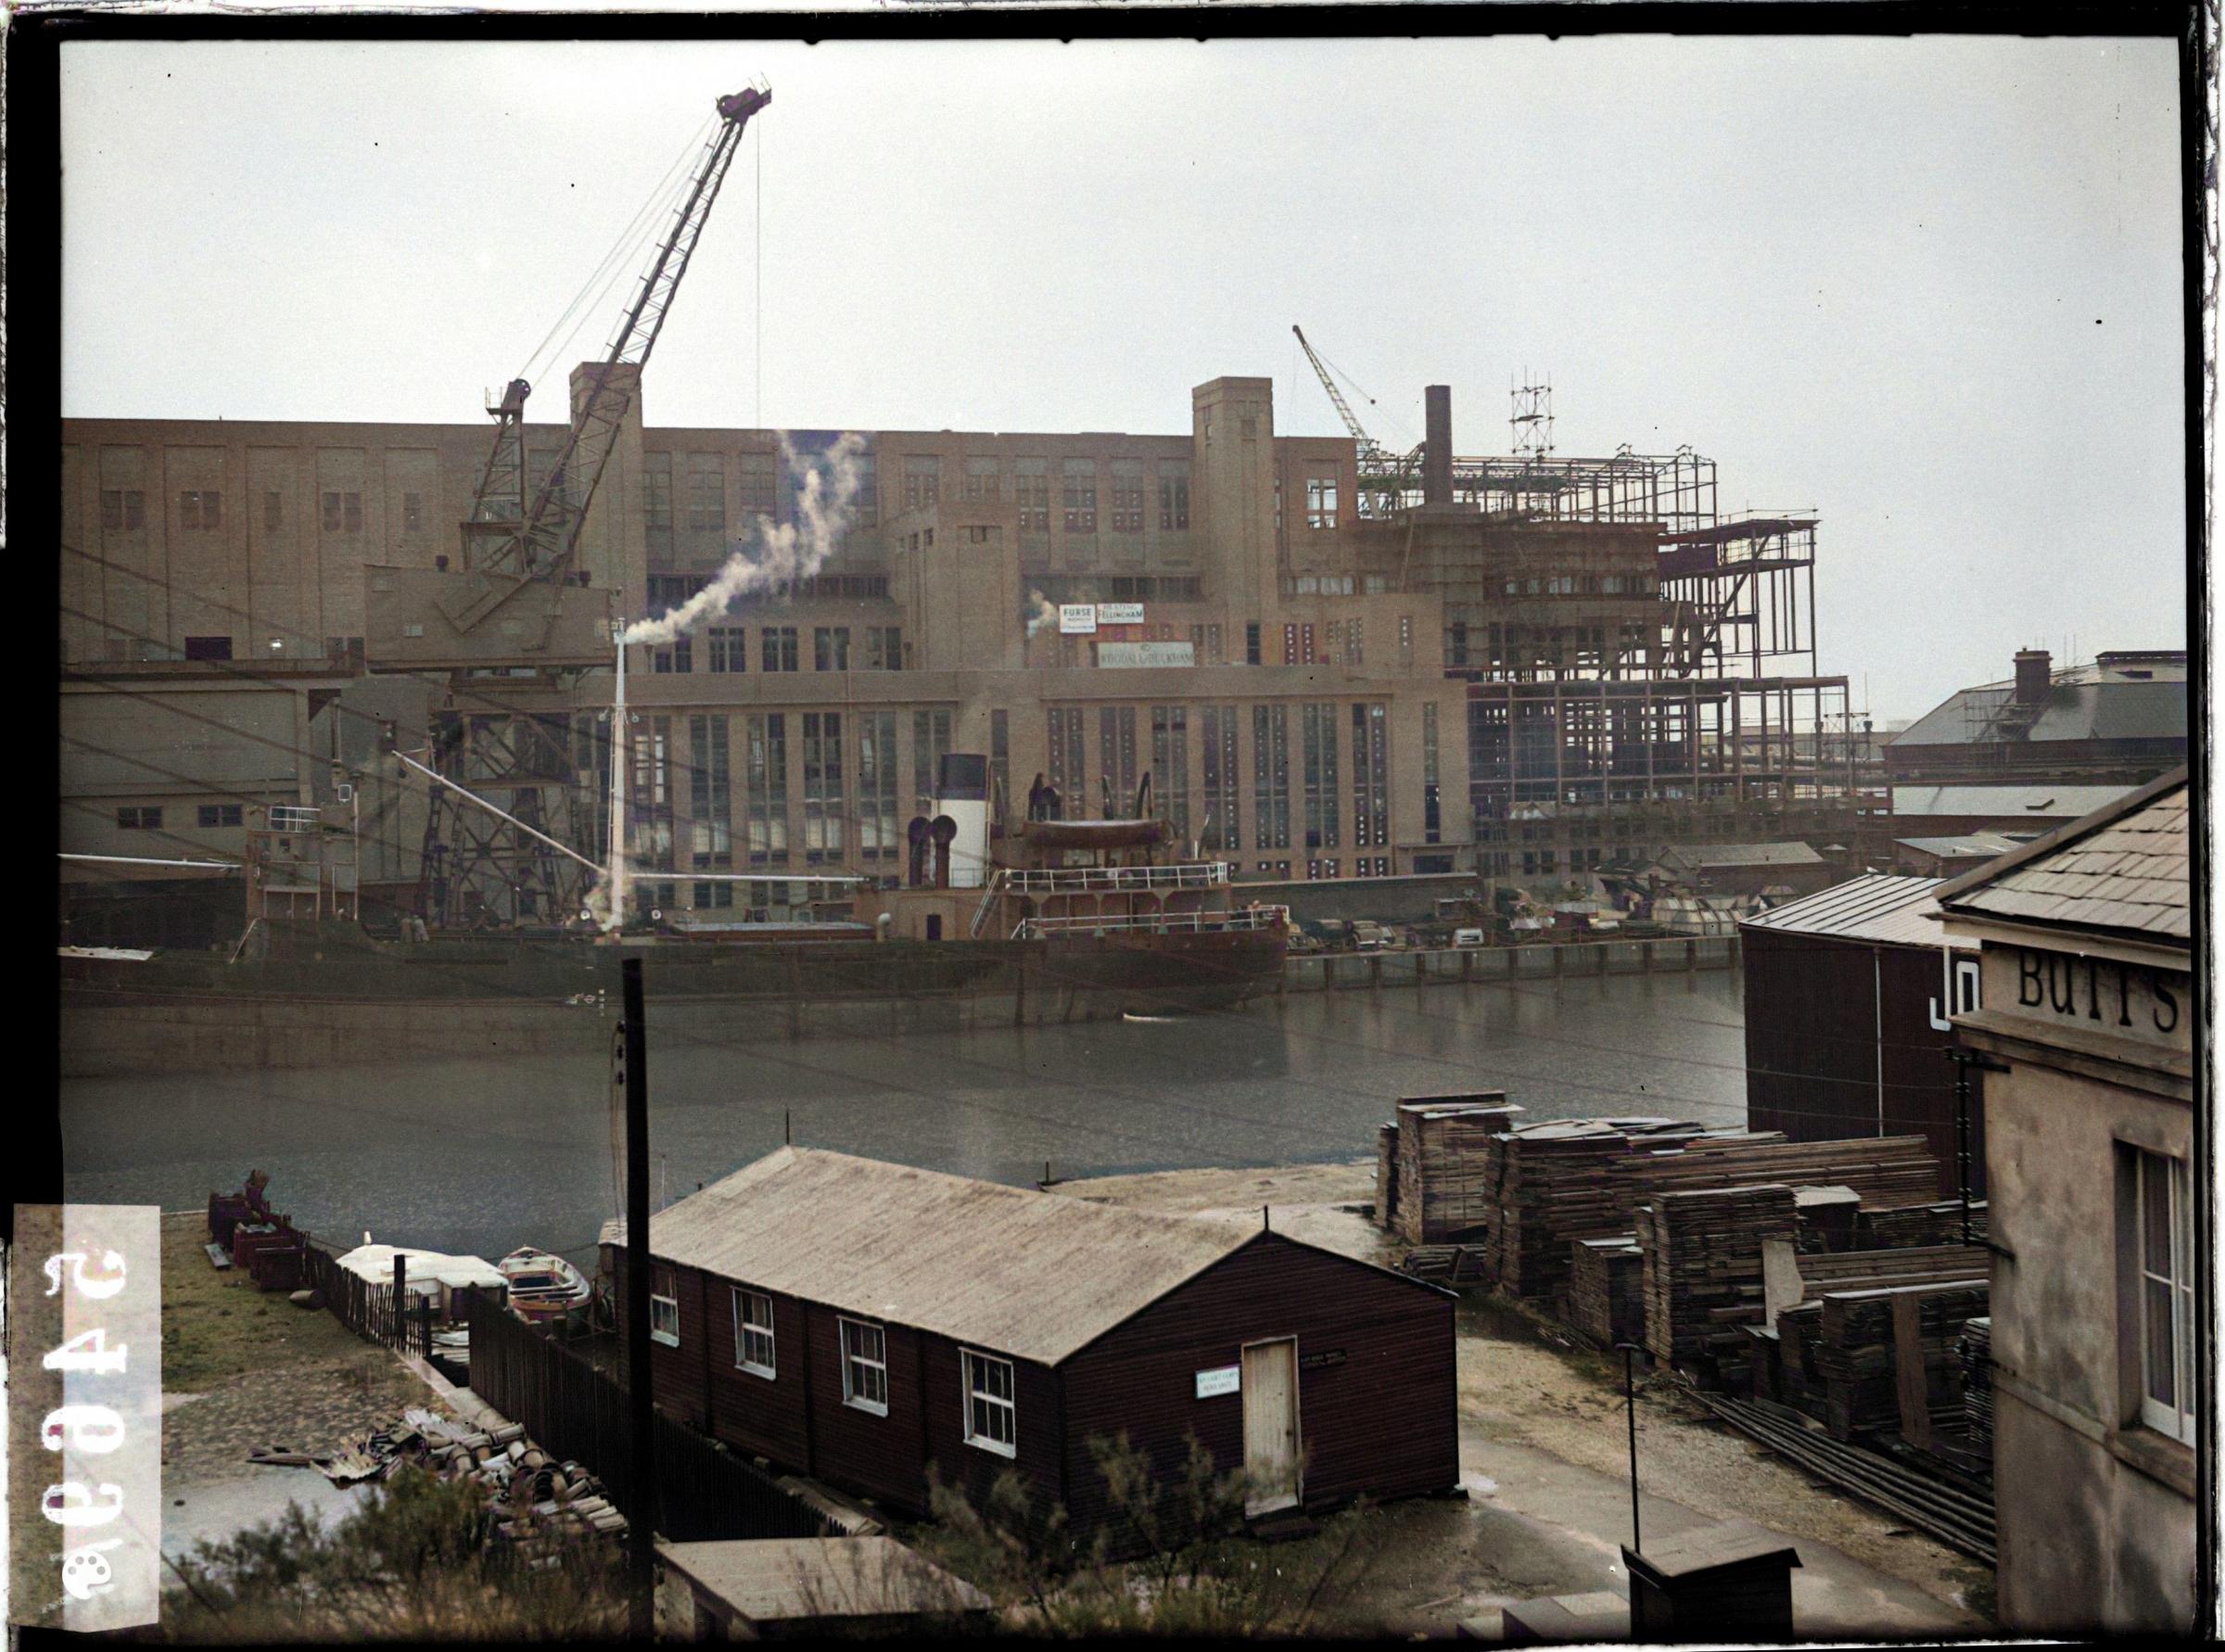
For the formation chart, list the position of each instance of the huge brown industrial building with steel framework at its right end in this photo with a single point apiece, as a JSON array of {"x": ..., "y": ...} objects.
[{"x": 1332, "y": 665}]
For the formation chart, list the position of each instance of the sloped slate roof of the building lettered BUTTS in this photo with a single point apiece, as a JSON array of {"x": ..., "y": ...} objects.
[{"x": 2122, "y": 869}]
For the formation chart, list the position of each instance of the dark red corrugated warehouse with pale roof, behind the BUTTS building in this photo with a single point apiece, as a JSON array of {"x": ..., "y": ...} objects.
[{"x": 1848, "y": 1001}]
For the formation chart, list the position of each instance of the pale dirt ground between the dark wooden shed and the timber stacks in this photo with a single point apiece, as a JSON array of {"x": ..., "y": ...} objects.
[{"x": 1545, "y": 1451}]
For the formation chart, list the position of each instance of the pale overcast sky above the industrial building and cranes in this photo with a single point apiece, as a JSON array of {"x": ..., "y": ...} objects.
[{"x": 1924, "y": 288}]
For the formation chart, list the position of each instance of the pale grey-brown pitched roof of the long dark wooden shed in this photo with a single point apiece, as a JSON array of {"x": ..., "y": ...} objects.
[{"x": 1000, "y": 1268}]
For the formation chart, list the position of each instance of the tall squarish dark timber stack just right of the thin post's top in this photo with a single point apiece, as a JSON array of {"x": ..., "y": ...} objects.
[{"x": 1703, "y": 1268}]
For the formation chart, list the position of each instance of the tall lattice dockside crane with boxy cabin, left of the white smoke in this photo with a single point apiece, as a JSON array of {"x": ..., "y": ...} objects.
[{"x": 520, "y": 620}]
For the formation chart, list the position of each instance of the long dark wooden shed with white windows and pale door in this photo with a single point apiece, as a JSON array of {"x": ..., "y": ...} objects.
[{"x": 862, "y": 1321}]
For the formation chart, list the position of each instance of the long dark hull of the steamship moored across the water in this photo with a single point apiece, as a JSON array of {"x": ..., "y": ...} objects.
[{"x": 342, "y": 1001}]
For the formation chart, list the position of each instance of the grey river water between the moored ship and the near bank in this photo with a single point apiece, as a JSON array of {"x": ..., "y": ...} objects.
[{"x": 491, "y": 1154}]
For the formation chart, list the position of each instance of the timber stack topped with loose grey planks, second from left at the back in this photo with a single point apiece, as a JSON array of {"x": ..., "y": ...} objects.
[{"x": 1552, "y": 1186}]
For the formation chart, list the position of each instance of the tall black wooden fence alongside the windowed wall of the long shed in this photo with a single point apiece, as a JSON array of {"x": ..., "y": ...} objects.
[{"x": 573, "y": 1410}]
